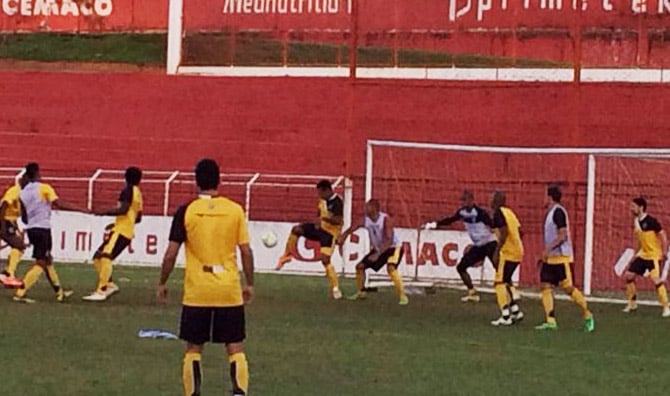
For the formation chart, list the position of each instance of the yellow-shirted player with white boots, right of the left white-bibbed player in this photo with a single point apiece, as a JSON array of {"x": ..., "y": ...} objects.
[{"x": 128, "y": 212}]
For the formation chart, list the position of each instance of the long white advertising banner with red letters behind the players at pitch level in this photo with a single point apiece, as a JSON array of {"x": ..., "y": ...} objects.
[{"x": 77, "y": 236}]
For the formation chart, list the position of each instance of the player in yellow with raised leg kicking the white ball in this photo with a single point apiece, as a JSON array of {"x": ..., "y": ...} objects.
[{"x": 325, "y": 230}]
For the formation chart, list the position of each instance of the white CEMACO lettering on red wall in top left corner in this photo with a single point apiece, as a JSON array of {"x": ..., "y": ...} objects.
[{"x": 53, "y": 7}]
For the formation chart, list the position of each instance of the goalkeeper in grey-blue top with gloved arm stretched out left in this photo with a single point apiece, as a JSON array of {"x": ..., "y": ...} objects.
[{"x": 477, "y": 223}]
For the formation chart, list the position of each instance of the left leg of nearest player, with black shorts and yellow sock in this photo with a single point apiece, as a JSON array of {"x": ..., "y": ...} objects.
[{"x": 195, "y": 329}]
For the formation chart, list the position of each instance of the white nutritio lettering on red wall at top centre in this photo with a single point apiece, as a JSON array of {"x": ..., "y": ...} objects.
[{"x": 286, "y": 6}]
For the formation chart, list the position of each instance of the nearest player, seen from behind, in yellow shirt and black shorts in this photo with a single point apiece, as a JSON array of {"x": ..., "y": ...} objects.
[{"x": 212, "y": 227}]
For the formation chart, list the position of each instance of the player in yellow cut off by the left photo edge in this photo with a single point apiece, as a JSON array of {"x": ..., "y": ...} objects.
[{"x": 10, "y": 211}]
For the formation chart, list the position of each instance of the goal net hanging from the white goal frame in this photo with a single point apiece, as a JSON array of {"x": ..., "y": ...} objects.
[{"x": 418, "y": 182}]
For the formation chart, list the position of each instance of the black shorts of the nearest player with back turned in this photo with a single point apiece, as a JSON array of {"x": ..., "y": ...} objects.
[{"x": 220, "y": 325}]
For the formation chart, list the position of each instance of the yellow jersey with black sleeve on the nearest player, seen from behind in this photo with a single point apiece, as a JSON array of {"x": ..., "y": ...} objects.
[{"x": 211, "y": 228}]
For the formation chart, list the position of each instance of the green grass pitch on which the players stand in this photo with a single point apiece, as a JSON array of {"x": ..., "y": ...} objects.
[{"x": 300, "y": 343}]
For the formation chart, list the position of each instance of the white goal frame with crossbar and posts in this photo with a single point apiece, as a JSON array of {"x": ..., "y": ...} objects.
[{"x": 590, "y": 153}]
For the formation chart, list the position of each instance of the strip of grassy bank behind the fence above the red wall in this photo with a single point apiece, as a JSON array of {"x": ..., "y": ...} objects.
[{"x": 218, "y": 49}]
